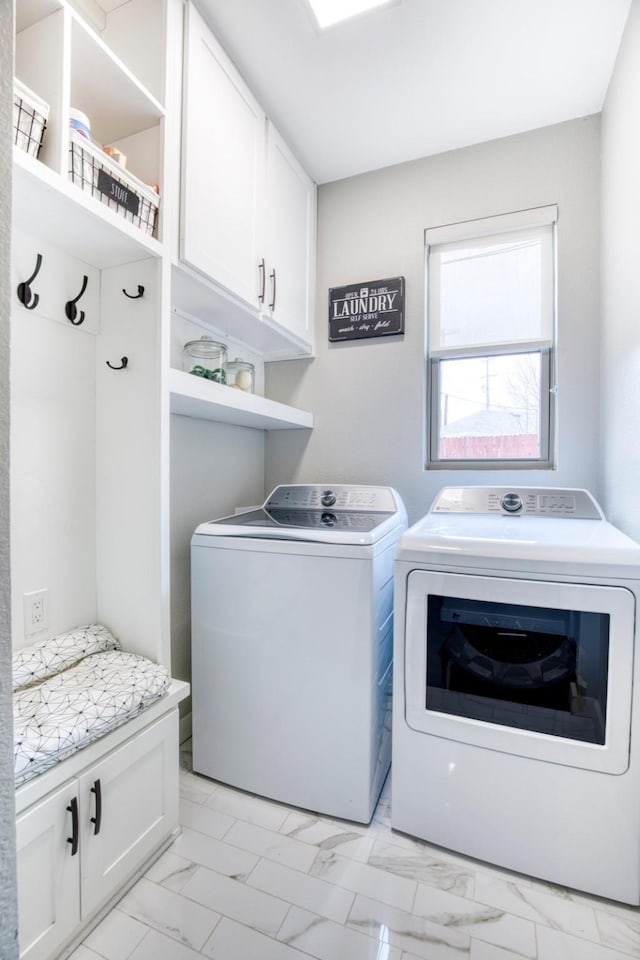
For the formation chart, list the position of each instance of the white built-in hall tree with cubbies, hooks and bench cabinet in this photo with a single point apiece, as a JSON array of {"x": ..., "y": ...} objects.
[{"x": 88, "y": 445}]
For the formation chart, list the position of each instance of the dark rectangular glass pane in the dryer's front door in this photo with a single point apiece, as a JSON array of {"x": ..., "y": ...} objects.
[{"x": 535, "y": 668}]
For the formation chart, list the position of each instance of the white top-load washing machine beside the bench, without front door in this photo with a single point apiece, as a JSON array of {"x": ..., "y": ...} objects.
[{"x": 292, "y": 643}]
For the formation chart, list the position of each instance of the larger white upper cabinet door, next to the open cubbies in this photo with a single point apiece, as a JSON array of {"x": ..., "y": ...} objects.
[{"x": 222, "y": 169}]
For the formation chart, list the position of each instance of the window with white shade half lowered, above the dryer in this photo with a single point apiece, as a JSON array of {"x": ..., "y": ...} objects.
[{"x": 490, "y": 341}]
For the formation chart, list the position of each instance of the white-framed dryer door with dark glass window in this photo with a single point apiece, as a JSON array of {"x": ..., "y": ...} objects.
[{"x": 537, "y": 669}]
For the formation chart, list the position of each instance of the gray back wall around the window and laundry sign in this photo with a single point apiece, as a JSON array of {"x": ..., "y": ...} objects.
[{"x": 367, "y": 396}]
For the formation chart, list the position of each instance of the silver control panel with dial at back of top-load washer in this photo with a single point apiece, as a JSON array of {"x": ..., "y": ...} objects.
[{"x": 336, "y": 496}]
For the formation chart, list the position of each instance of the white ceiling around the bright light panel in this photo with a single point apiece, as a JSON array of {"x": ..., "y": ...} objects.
[{"x": 420, "y": 76}]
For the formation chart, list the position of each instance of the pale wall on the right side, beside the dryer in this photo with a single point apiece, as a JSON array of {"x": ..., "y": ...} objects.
[{"x": 621, "y": 285}]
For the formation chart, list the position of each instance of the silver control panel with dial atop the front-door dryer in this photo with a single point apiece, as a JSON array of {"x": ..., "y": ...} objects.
[{"x": 518, "y": 501}]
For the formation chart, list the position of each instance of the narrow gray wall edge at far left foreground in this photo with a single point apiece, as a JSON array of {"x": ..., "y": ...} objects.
[{"x": 8, "y": 898}]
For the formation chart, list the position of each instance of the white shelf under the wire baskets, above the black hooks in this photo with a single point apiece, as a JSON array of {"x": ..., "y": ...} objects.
[{"x": 51, "y": 207}]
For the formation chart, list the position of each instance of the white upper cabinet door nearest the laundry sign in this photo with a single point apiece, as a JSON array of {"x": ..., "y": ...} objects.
[{"x": 290, "y": 225}]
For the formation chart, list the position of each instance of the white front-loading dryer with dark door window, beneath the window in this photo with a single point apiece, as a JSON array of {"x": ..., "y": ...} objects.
[{"x": 516, "y": 727}]
